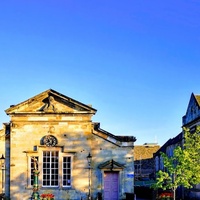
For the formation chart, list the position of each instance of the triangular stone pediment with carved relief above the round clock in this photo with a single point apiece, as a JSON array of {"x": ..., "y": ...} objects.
[{"x": 50, "y": 101}]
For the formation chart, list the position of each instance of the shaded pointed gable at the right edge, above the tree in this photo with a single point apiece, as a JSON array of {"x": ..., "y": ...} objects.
[{"x": 193, "y": 109}]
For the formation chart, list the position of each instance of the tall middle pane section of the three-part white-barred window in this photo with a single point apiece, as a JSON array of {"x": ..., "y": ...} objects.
[{"x": 50, "y": 168}]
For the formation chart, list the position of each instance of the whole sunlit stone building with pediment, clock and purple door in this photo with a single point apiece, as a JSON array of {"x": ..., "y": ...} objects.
[{"x": 59, "y": 133}]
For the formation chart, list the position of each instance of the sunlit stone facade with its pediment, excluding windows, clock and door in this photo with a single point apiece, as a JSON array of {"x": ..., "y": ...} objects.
[{"x": 70, "y": 123}]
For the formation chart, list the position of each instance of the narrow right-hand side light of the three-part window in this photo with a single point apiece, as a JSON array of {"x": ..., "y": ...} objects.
[{"x": 66, "y": 171}]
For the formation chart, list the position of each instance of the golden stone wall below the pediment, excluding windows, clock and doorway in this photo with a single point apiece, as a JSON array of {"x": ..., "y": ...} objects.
[{"x": 75, "y": 139}]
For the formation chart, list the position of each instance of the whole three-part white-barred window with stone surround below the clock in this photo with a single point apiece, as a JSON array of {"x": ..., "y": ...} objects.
[{"x": 55, "y": 168}]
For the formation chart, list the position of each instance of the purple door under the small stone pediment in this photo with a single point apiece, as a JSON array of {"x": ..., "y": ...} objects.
[{"x": 111, "y": 185}]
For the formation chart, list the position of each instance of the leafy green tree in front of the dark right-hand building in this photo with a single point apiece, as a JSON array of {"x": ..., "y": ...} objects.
[{"x": 181, "y": 169}]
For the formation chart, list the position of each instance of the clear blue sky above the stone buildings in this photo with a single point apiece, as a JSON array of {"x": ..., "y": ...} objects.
[{"x": 136, "y": 61}]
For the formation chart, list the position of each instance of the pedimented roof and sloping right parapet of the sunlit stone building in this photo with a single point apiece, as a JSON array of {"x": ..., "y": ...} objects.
[{"x": 53, "y": 103}]
